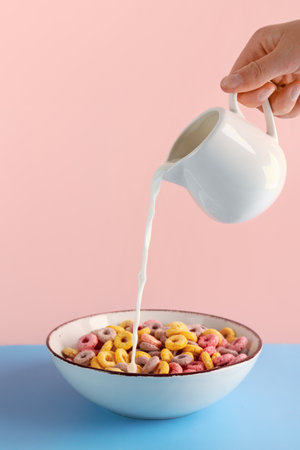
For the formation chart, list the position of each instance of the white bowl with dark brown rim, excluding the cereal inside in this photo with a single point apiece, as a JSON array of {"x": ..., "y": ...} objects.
[{"x": 150, "y": 396}]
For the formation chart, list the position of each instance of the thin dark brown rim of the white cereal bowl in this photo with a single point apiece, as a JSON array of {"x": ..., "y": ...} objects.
[{"x": 152, "y": 375}]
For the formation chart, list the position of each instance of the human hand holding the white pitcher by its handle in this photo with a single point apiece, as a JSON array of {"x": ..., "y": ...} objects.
[{"x": 269, "y": 67}]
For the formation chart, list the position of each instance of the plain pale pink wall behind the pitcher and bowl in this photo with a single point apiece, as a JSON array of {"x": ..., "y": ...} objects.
[{"x": 92, "y": 96}]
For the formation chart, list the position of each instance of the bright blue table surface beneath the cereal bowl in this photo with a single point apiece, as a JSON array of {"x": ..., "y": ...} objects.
[{"x": 39, "y": 410}]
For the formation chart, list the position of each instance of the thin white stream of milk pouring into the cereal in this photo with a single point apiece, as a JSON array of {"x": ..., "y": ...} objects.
[{"x": 142, "y": 276}]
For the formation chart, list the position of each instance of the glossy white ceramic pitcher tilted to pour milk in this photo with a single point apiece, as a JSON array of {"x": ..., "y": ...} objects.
[{"x": 233, "y": 170}]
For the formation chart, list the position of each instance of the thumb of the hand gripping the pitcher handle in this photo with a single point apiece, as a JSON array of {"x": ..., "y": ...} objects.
[{"x": 255, "y": 74}]
